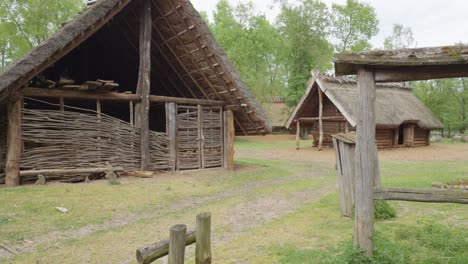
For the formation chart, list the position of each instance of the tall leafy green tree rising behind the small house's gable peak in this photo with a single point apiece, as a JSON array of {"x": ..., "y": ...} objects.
[{"x": 304, "y": 28}]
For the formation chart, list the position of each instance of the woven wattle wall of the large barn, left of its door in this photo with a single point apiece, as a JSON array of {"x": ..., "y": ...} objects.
[{"x": 55, "y": 139}]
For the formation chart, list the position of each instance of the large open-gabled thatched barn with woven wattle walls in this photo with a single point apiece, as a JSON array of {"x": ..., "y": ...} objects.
[{"x": 140, "y": 84}]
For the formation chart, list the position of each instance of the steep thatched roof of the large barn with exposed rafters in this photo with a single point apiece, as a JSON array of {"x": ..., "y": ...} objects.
[{"x": 188, "y": 62}]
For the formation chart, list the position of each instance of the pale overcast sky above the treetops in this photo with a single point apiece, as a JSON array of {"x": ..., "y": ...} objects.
[{"x": 434, "y": 22}]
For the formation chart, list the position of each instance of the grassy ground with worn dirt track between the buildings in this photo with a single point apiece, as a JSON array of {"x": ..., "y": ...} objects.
[{"x": 279, "y": 206}]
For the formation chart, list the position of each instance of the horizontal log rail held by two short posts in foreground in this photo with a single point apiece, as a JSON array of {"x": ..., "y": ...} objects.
[{"x": 150, "y": 253}]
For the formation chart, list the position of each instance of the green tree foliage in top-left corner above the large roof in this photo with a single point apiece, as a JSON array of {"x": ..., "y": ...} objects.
[{"x": 26, "y": 23}]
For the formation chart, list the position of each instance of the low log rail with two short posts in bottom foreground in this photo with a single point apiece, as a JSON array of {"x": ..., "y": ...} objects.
[{"x": 179, "y": 238}]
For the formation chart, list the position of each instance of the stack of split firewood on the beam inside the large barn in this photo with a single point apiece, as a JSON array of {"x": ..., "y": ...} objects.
[{"x": 67, "y": 84}]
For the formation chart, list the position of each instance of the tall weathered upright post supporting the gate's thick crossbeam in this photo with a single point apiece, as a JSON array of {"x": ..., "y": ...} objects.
[{"x": 366, "y": 157}]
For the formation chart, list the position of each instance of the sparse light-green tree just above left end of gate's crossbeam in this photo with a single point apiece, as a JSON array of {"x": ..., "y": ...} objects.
[{"x": 353, "y": 25}]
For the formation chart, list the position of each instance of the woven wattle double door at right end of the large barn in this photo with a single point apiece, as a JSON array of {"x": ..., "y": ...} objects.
[{"x": 200, "y": 140}]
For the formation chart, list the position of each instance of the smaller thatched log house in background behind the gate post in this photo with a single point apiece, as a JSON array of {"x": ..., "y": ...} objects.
[{"x": 329, "y": 106}]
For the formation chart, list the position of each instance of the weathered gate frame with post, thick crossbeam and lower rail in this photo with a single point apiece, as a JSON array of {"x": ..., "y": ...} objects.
[{"x": 391, "y": 66}]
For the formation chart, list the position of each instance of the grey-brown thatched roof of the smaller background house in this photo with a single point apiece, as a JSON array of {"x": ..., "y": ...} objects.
[{"x": 395, "y": 103}]
